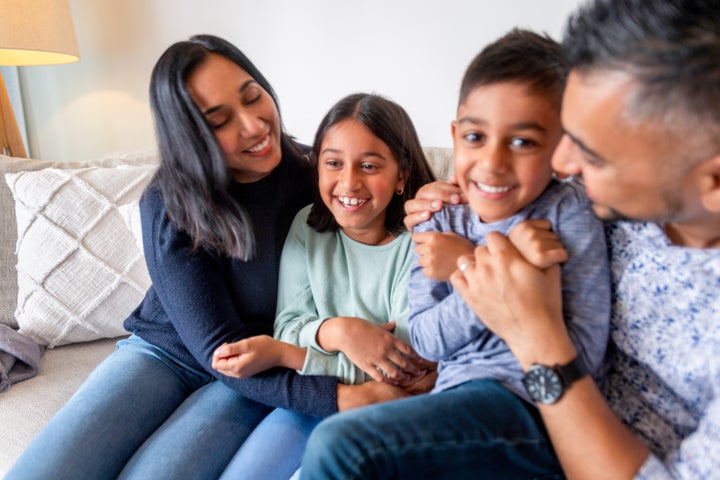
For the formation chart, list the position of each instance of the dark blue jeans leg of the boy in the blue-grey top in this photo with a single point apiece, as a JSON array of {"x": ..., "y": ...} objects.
[{"x": 476, "y": 430}]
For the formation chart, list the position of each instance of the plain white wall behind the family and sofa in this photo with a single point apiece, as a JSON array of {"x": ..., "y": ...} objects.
[{"x": 312, "y": 51}]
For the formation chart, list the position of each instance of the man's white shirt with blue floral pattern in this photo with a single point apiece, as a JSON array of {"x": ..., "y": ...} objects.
[{"x": 665, "y": 343}]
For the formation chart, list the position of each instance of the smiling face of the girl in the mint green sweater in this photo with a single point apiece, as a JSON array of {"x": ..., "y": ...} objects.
[{"x": 358, "y": 177}]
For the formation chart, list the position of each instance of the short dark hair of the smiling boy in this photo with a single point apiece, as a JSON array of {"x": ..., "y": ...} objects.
[{"x": 520, "y": 56}]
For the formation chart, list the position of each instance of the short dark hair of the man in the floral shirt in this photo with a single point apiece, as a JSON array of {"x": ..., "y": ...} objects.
[{"x": 670, "y": 47}]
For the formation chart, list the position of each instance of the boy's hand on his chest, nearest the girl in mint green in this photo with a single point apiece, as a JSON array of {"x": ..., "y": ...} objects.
[{"x": 438, "y": 253}]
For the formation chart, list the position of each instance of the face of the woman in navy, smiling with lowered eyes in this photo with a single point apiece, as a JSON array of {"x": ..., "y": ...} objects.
[{"x": 242, "y": 115}]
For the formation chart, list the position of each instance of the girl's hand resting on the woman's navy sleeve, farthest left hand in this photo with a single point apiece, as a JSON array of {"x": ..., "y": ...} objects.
[{"x": 252, "y": 355}]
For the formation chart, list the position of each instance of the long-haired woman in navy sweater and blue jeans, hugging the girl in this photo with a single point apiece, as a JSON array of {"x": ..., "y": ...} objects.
[{"x": 214, "y": 222}]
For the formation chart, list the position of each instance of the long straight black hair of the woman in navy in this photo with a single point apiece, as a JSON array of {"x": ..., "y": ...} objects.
[{"x": 193, "y": 176}]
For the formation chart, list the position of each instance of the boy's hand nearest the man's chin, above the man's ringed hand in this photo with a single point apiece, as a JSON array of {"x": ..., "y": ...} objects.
[{"x": 536, "y": 241}]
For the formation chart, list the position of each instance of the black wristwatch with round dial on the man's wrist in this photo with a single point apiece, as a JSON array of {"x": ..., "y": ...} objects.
[{"x": 547, "y": 384}]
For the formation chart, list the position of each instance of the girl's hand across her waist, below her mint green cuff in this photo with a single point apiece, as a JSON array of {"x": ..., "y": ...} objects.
[{"x": 372, "y": 348}]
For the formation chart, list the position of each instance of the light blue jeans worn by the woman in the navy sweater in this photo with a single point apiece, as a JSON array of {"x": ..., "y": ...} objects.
[{"x": 142, "y": 414}]
